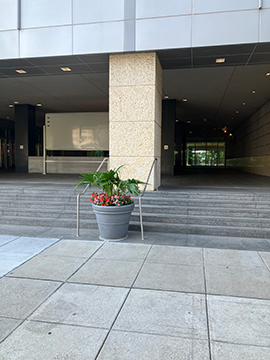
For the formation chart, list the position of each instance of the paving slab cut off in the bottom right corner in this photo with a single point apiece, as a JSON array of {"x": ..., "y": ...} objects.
[{"x": 222, "y": 351}]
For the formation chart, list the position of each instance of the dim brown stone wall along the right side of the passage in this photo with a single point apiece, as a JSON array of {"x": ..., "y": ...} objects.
[{"x": 249, "y": 149}]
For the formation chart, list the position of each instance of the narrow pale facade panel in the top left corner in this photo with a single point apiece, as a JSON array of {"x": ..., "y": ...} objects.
[{"x": 8, "y": 14}]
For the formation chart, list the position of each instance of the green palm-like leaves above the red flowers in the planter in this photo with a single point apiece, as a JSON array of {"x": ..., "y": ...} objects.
[{"x": 110, "y": 183}]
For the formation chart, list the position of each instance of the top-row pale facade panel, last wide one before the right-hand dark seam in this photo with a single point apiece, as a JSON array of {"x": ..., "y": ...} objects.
[{"x": 207, "y": 6}]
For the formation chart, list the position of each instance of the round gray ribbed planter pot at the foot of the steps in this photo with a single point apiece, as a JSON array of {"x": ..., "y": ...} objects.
[{"x": 113, "y": 221}]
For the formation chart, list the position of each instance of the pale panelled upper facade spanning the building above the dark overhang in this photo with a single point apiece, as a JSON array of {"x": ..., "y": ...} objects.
[{"x": 66, "y": 27}]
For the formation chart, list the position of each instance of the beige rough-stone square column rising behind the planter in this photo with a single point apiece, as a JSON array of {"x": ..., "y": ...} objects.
[{"x": 135, "y": 115}]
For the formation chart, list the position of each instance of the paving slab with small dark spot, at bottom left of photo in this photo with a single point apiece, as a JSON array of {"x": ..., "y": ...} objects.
[{"x": 34, "y": 340}]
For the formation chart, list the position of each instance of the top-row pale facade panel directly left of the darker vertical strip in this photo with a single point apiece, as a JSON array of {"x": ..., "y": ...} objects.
[{"x": 87, "y": 11}]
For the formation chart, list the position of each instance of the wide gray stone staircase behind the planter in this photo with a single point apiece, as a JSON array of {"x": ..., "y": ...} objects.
[{"x": 202, "y": 213}]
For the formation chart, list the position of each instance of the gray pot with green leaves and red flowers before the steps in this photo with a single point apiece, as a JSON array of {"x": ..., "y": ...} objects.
[{"x": 113, "y": 206}]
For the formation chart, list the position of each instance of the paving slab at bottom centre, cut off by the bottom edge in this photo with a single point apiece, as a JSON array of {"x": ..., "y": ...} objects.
[{"x": 132, "y": 346}]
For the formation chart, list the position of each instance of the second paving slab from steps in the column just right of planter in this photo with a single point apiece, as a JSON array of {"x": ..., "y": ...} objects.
[{"x": 171, "y": 277}]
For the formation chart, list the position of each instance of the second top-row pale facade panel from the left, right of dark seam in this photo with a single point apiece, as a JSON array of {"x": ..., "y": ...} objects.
[{"x": 45, "y": 13}]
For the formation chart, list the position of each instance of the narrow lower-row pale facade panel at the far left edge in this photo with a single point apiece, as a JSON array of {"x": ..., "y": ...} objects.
[{"x": 9, "y": 47}]
